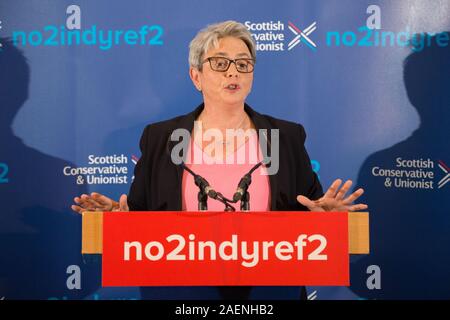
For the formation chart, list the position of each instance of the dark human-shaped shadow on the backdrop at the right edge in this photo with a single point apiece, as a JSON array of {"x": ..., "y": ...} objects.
[{"x": 410, "y": 227}]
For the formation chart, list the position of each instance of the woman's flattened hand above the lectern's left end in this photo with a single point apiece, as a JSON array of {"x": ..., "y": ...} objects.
[{"x": 98, "y": 202}]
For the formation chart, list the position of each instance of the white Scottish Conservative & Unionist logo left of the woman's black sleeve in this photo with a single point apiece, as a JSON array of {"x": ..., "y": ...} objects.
[{"x": 110, "y": 169}]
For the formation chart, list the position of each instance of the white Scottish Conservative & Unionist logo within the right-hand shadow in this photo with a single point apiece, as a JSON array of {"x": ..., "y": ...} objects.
[{"x": 412, "y": 174}]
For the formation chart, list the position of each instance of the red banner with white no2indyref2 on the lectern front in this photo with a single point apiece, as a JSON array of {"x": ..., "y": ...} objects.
[{"x": 222, "y": 248}]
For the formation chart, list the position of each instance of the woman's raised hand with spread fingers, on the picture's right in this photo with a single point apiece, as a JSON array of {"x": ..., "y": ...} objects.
[{"x": 334, "y": 199}]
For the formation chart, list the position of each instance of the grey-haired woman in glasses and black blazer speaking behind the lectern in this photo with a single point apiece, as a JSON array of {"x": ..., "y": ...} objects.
[{"x": 222, "y": 59}]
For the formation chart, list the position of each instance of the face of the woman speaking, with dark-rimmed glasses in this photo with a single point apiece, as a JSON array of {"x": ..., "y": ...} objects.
[{"x": 228, "y": 87}]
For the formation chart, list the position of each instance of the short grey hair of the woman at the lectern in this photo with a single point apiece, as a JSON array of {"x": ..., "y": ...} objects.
[{"x": 209, "y": 37}]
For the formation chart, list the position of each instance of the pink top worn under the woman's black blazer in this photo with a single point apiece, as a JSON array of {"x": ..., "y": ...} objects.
[{"x": 225, "y": 177}]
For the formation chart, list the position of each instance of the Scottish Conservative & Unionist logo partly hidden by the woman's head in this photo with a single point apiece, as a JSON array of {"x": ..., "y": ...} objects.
[{"x": 274, "y": 35}]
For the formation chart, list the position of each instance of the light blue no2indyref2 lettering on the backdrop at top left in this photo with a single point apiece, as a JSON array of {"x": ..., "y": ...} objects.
[{"x": 73, "y": 34}]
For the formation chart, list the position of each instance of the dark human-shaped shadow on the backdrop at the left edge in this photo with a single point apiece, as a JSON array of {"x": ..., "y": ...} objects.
[{"x": 40, "y": 238}]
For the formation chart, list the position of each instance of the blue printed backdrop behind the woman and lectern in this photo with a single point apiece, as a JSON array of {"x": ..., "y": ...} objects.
[{"x": 375, "y": 108}]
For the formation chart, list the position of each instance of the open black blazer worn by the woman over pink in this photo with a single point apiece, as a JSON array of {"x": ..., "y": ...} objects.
[{"x": 157, "y": 181}]
